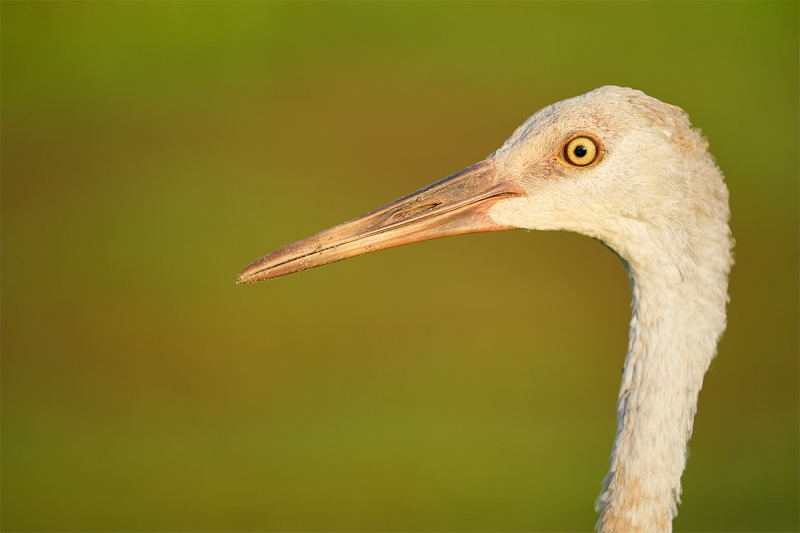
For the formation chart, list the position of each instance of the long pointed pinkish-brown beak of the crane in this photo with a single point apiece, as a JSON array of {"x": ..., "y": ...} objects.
[{"x": 455, "y": 205}]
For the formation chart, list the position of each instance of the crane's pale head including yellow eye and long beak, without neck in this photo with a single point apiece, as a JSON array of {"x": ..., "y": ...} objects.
[{"x": 614, "y": 164}]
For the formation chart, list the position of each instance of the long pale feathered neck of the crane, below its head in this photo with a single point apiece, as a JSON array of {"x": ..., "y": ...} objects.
[{"x": 678, "y": 317}]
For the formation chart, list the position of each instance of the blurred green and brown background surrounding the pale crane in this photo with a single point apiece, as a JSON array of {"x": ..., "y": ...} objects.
[{"x": 150, "y": 151}]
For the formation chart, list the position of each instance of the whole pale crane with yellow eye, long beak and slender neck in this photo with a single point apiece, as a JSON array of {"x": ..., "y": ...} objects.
[{"x": 625, "y": 168}]
